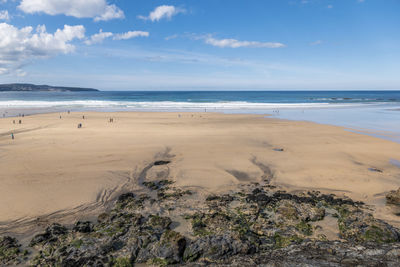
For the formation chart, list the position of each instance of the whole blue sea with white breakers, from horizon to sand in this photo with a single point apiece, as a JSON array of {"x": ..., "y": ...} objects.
[{"x": 371, "y": 112}]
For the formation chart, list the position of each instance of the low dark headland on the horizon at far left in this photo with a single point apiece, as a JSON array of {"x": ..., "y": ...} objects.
[{"x": 25, "y": 87}]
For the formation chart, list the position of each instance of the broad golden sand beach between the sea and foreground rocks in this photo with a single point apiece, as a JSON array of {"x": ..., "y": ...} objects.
[{"x": 53, "y": 166}]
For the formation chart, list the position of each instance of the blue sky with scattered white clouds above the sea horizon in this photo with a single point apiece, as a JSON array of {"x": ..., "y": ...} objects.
[{"x": 202, "y": 45}]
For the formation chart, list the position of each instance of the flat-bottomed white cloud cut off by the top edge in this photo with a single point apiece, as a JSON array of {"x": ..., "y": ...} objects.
[{"x": 96, "y": 9}]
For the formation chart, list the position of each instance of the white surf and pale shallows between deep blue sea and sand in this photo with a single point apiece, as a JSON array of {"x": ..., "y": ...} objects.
[{"x": 373, "y": 119}]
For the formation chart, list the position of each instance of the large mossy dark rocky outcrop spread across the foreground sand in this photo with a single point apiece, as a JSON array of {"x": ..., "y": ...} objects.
[{"x": 255, "y": 225}]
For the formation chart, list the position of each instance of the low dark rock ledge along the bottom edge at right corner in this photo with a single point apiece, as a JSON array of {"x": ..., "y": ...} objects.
[{"x": 327, "y": 254}]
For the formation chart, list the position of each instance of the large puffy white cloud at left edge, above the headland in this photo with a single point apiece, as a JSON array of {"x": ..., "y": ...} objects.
[{"x": 20, "y": 46}]
